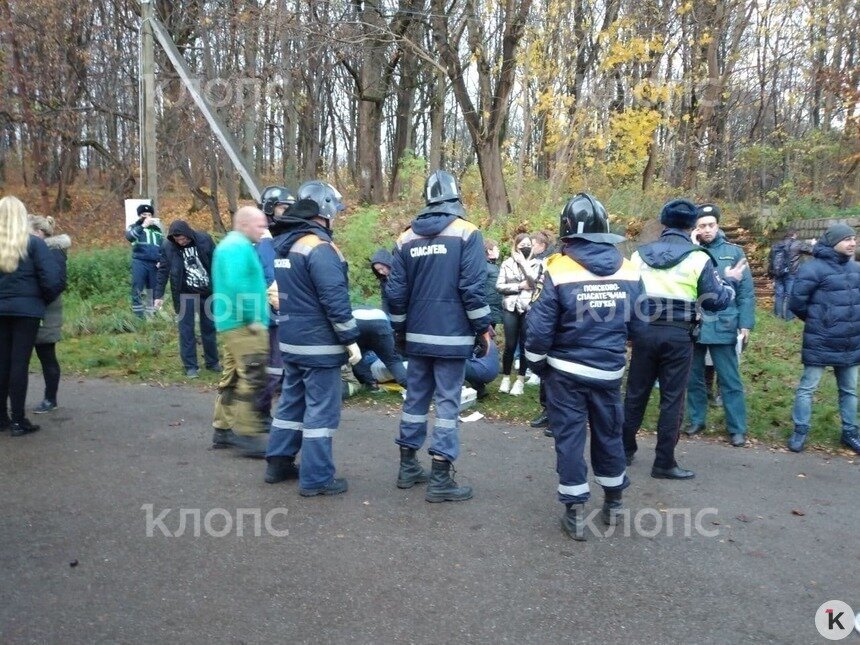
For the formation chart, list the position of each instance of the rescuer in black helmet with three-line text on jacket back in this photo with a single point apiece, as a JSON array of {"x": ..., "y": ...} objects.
[{"x": 576, "y": 332}]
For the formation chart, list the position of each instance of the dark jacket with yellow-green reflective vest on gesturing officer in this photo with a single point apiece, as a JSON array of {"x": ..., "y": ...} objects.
[{"x": 696, "y": 281}]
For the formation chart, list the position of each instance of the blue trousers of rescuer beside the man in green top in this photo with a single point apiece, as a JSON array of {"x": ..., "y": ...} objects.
[{"x": 307, "y": 417}]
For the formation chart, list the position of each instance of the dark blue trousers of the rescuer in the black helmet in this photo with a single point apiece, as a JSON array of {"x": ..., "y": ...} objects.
[{"x": 572, "y": 406}]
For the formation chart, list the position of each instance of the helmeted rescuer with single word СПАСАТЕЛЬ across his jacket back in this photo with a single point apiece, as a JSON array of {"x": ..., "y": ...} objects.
[{"x": 436, "y": 294}]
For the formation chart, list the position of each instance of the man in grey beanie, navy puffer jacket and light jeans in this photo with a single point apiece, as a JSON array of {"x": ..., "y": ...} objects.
[{"x": 826, "y": 297}]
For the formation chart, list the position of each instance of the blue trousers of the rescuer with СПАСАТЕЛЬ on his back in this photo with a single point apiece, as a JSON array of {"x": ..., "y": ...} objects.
[{"x": 426, "y": 377}]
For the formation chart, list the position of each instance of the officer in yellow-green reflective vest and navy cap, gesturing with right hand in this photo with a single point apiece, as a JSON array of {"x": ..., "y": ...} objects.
[{"x": 679, "y": 277}]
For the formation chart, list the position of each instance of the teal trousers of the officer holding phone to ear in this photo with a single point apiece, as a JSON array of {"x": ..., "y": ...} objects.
[{"x": 725, "y": 359}]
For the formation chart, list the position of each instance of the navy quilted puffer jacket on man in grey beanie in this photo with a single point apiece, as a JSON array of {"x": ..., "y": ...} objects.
[{"x": 826, "y": 297}]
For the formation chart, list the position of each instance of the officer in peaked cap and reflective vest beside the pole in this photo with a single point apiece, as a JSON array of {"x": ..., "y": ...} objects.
[{"x": 146, "y": 237}]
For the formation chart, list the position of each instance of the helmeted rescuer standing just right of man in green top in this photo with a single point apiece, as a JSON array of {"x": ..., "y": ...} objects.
[{"x": 317, "y": 334}]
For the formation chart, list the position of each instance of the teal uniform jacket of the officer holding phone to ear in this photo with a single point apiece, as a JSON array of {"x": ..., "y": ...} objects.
[{"x": 721, "y": 328}]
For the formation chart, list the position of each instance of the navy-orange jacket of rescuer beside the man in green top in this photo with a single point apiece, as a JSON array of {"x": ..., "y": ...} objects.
[{"x": 315, "y": 320}]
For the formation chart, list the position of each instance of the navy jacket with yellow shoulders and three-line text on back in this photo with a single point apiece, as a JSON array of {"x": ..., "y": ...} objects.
[{"x": 584, "y": 311}]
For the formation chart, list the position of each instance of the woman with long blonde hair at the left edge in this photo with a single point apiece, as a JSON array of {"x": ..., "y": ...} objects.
[{"x": 29, "y": 277}]
